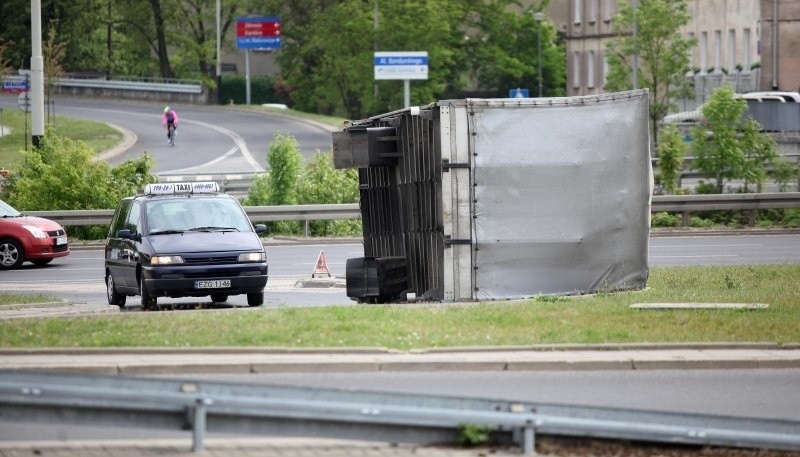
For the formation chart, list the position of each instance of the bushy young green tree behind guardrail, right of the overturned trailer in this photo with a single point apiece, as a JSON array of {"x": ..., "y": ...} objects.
[{"x": 727, "y": 146}]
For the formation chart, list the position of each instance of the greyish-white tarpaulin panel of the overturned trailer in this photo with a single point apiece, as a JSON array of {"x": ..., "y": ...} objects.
[{"x": 562, "y": 192}]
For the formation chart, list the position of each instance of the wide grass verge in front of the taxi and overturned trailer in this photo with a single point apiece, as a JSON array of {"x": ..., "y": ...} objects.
[{"x": 601, "y": 318}]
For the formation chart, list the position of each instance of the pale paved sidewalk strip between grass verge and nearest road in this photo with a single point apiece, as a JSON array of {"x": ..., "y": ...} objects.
[{"x": 138, "y": 361}]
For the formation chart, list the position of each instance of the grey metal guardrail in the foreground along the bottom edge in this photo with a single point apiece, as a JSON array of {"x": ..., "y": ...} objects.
[{"x": 412, "y": 418}]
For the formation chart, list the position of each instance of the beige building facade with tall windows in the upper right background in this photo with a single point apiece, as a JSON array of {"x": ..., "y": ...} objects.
[{"x": 736, "y": 43}]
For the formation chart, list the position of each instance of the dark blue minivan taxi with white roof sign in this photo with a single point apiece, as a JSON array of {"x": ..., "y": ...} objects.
[{"x": 183, "y": 240}]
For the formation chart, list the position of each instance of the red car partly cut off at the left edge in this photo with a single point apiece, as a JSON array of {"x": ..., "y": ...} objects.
[{"x": 29, "y": 238}]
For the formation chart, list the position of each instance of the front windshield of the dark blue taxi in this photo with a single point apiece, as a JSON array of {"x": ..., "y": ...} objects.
[{"x": 195, "y": 214}]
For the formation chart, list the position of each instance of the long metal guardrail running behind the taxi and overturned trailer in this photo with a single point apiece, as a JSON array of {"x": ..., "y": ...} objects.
[{"x": 684, "y": 204}]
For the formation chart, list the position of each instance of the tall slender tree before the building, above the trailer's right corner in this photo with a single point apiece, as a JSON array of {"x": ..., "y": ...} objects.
[{"x": 662, "y": 54}]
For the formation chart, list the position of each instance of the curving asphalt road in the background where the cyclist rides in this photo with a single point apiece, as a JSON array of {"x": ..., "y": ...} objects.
[{"x": 211, "y": 139}]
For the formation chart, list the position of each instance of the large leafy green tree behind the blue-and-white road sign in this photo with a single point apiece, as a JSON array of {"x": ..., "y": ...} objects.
[{"x": 329, "y": 75}]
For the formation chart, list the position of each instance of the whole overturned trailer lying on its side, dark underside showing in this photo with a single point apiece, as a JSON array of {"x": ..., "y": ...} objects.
[{"x": 487, "y": 199}]
